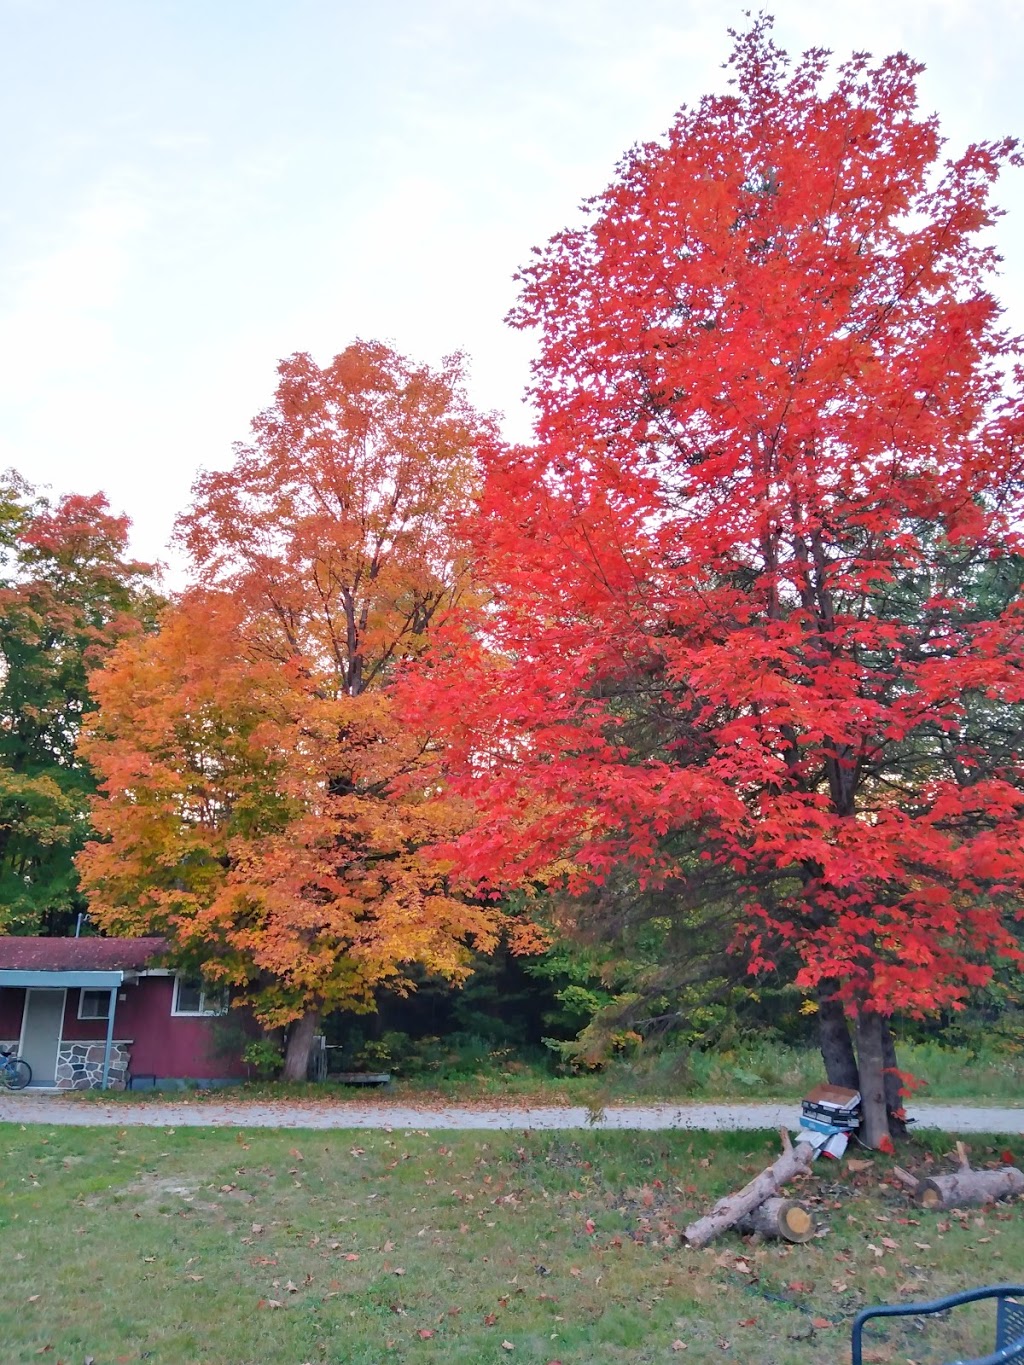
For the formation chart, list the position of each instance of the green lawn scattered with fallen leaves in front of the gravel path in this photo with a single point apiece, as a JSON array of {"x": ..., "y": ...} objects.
[{"x": 223, "y": 1247}]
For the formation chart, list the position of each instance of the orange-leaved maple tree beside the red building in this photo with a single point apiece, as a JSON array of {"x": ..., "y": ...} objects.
[{"x": 263, "y": 802}]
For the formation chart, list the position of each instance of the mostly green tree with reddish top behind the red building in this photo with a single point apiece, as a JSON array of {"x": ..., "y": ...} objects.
[{"x": 69, "y": 593}]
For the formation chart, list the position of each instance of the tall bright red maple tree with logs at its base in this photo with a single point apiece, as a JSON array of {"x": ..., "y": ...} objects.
[{"x": 758, "y": 620}]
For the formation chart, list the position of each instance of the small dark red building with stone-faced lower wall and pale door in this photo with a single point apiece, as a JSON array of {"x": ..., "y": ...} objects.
[{"x": 99, "y": 1012}]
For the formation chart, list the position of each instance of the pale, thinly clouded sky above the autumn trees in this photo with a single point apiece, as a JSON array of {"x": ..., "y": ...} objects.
[{"x": 195, "y": 189}]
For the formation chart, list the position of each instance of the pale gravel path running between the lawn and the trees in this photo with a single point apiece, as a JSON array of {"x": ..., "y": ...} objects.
[{"x": 327, "y": 1115}]
